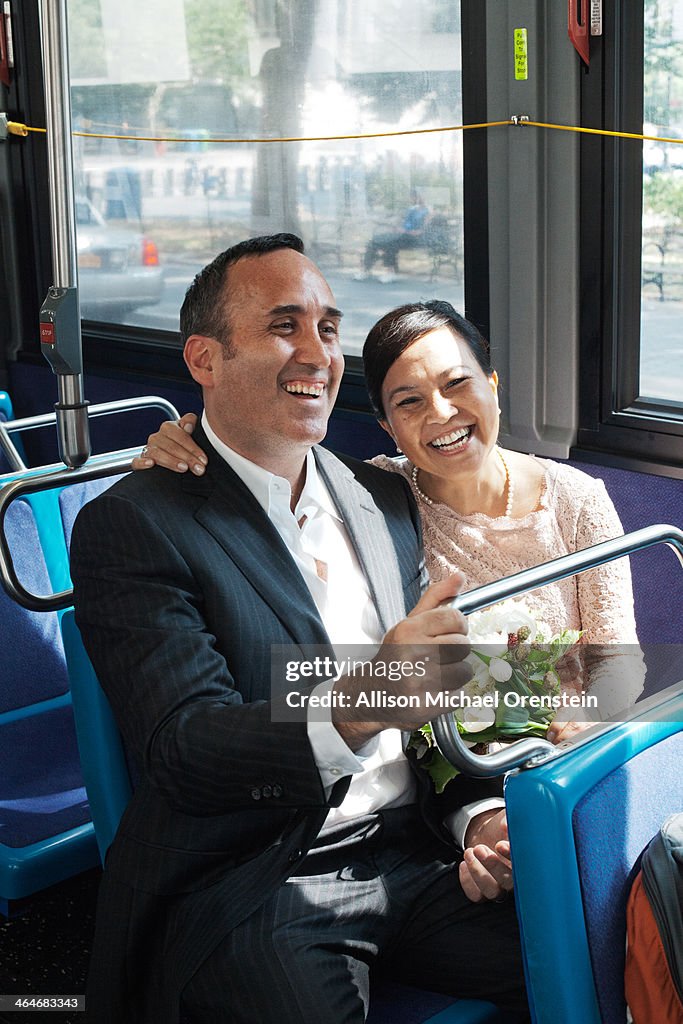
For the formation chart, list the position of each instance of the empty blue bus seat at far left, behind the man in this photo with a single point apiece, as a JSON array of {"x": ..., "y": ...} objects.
[{"x": 47, "y": 835}]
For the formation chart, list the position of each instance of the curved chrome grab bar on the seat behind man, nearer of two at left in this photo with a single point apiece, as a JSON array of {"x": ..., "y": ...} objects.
[{"x": 97, "y": 467}]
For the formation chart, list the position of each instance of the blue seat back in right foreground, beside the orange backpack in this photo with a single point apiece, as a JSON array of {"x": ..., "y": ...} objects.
[{"x": 578, "y": 826}]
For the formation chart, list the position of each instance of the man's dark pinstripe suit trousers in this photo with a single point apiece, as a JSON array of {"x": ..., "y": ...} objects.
[{"x": 385, "y": 899}]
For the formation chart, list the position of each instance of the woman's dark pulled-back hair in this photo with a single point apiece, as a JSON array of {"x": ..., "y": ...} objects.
[{"x": 400, "y": 328}]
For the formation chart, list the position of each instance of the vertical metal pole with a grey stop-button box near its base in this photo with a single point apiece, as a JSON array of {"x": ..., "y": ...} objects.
[{"x": 61, "y": 319}]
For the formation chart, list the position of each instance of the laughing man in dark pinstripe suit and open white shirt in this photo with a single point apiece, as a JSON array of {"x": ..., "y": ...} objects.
[{"x": 265, "y": 866}]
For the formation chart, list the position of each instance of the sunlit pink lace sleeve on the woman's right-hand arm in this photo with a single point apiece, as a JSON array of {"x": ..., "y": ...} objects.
[{"x": 613, "y": 659}]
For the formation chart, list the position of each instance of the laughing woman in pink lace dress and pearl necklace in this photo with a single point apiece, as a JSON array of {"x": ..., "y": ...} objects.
[{"x": 486, "y": 511}]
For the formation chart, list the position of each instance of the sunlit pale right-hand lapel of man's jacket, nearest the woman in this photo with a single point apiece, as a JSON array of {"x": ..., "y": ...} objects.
[{"x": 370, "y": 536}]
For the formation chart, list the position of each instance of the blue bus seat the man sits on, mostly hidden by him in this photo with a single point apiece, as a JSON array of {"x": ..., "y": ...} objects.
[{"x": 109, "y": 787}]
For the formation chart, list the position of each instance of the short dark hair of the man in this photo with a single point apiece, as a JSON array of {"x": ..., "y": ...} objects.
[{"x": 205, "y": 309}]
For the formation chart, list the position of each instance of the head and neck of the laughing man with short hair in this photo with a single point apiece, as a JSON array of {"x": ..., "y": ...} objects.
[{"x": 267, "y": 354}]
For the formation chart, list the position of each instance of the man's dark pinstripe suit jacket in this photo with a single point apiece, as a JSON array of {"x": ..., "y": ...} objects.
[{"x": 182, "y": 585}]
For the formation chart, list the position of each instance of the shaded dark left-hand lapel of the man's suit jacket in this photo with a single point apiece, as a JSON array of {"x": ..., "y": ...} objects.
[{"x": 234, "y": 518}]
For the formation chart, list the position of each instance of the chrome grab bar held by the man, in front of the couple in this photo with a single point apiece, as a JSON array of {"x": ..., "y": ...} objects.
[{"x": 527, "y": 751}]
